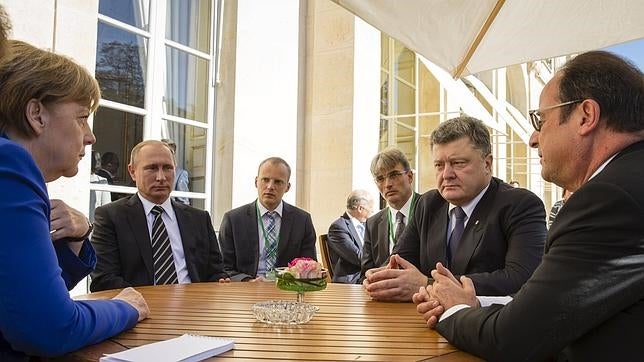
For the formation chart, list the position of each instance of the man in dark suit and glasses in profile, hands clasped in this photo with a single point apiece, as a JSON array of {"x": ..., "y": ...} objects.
[{"x": 585, "y": 301}]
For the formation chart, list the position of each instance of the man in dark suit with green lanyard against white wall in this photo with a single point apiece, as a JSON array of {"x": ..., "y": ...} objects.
[{"x": 267, "y": 233}]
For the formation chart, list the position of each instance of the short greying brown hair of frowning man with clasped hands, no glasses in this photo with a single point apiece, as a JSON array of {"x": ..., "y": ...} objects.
[{"x": 463, "y": 126}]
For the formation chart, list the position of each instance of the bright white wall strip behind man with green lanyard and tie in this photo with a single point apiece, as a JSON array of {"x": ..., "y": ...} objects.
[{"x": 266, "y": 92}]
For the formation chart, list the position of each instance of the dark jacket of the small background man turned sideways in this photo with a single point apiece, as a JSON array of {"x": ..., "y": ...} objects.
[{"x": 345, "y": 250}]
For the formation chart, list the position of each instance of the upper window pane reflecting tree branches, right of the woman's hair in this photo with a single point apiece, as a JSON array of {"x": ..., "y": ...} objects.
[{"x": 120, "y": 65}]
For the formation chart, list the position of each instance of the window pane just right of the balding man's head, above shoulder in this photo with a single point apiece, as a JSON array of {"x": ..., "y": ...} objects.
[{"x": 190, "y": 155}]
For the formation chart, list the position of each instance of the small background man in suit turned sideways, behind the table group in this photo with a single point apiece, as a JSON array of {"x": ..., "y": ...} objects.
[{"x": 346, "y": 237}]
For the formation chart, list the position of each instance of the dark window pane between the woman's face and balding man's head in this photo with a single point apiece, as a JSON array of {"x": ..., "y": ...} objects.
[{"x": 117, "y": 132}]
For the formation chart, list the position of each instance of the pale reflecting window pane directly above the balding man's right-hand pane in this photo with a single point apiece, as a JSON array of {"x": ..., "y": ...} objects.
[{"x": 186, "y": 85}]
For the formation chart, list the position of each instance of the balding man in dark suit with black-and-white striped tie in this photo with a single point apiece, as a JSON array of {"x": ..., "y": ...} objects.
[{"x": 123, "y": 236}]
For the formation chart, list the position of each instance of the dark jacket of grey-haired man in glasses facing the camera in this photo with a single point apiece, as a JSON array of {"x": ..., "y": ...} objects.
[{"x": 375, "y": 251}]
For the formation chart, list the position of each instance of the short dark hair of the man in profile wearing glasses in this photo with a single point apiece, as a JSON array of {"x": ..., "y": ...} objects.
[{"x": 613, "y": 82}]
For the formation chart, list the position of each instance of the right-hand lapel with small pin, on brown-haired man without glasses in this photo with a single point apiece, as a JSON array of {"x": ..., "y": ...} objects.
[{"x": 473, "y": 233}]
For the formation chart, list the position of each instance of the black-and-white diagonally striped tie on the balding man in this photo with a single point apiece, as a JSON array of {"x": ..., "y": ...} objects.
[{"x": 164, "y": 270}]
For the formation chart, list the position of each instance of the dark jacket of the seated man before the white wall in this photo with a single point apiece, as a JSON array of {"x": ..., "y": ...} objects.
[{"x": 240, "y": 239}]
